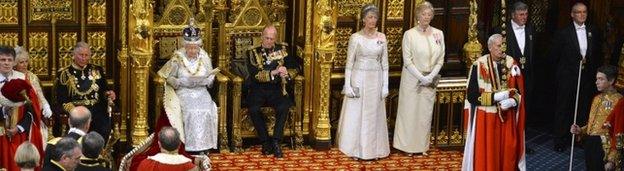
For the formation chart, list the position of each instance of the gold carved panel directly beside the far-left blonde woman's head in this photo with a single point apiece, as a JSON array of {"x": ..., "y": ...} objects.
[{"x": 38, "y": 50}]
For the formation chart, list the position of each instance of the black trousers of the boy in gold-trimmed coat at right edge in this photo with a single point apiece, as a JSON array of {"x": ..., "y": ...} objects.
[{"x": 594, "y": 153}]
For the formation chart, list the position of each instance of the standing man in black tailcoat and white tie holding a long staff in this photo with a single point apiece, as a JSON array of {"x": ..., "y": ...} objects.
[{"x": 577, "y": 43}]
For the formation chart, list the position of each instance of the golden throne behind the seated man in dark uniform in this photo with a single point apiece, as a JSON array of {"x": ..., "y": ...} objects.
[{"x": 235, "y": 38}]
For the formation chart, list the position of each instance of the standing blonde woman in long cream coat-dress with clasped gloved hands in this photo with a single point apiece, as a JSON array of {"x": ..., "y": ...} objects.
[{"x": 423, "y": 56}]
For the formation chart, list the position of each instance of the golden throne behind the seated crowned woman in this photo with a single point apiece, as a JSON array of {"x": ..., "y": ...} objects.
[{"x": 167, "y": 38}]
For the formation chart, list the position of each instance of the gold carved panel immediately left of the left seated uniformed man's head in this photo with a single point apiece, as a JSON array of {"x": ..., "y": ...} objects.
[{"x": 66, "y": 43}]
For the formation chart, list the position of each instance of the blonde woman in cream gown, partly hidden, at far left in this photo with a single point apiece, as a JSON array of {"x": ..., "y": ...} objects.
[{"x": 21, "y": 65}]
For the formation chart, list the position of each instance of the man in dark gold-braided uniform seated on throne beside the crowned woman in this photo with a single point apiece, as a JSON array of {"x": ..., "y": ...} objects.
[{"x": 271, "y": 70}]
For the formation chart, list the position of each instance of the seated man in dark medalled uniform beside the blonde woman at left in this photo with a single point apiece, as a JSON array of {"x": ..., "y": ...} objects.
[{"x": 84, "y": 84}]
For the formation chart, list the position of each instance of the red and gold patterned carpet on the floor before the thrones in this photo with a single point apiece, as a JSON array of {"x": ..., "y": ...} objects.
[{"x": 308, "y": 159}]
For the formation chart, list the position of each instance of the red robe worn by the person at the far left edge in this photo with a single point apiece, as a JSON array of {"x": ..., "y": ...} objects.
[{"x": 8, "y": 146}]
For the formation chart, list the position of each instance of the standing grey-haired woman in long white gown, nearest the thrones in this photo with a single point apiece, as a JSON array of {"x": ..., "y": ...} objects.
[{"x": 362, "y": 129}]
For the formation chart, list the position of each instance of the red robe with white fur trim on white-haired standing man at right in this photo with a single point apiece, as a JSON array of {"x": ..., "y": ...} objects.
[{"x": 495, "y": 137}]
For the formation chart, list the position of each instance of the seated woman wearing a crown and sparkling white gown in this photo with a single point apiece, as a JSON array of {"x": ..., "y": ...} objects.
[{"x": 188, "y": 105}]
